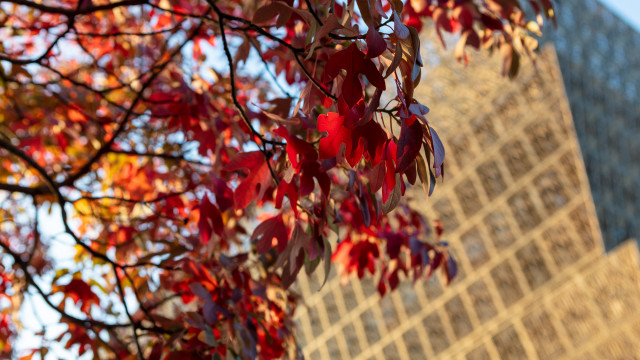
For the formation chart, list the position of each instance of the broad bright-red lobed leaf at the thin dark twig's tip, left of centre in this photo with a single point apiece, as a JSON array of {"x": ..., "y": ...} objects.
[{"x": 256, "y": 183}]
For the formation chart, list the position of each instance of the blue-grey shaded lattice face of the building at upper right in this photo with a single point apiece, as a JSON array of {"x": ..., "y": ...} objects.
[{"x": 602, "y": 79}]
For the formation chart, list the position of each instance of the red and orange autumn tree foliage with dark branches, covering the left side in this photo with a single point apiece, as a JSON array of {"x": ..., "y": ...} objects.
[{"x": 201, "y": 153}]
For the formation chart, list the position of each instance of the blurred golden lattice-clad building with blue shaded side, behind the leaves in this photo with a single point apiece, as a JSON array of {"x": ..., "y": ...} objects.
[{"x": 542, "y": 189}]
